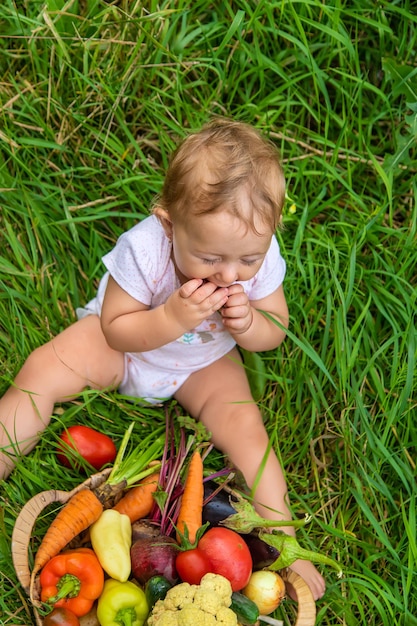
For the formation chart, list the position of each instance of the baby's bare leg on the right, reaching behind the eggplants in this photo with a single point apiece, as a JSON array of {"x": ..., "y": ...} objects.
[{"x": 220, "y": 397}]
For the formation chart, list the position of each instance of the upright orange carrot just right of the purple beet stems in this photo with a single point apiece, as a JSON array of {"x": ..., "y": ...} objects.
[{"x": 190, "y": 515}]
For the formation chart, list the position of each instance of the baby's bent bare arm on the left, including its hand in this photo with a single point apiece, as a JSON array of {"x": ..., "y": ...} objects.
[{"x": 131, "y": 326}]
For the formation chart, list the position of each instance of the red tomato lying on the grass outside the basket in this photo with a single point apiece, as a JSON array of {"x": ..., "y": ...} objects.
[{"x": 96, "y": 448}]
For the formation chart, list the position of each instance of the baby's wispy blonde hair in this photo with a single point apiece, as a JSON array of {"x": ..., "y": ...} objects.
[{"x": 213, "y": 167}]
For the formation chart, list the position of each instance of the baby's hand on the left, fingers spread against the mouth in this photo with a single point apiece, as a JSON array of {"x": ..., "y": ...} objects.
[{"x": 194, "y": 302}]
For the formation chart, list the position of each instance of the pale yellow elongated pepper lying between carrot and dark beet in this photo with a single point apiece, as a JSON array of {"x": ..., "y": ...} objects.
[{"x": 111, "y": 538}]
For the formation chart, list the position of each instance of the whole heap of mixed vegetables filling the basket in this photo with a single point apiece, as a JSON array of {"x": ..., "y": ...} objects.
[{"x": 159, "y": 544}]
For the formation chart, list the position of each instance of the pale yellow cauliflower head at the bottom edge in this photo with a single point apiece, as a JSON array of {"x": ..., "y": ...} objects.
[{"x": 206, "y": 604}]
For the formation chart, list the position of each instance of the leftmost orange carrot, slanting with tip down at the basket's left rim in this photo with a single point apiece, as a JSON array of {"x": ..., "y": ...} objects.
[{"x": 81, "y": 510}]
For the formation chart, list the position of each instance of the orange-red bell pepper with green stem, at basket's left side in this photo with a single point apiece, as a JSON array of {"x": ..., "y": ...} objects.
[{"x": 73, "y": 580}]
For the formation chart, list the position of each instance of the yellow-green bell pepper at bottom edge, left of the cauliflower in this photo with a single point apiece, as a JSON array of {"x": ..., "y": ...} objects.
[{"x": 122, "y": 604}]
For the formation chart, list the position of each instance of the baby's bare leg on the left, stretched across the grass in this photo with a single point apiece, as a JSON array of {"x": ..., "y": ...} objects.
[{"x": 77, "y": 358}]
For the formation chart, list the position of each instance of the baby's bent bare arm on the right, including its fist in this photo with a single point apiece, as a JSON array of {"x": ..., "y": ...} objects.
[{"x": 250, "y": 328}]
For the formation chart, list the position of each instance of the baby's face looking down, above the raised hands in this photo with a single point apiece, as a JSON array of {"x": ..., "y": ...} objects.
[{"x": 218, "y": 247}]
